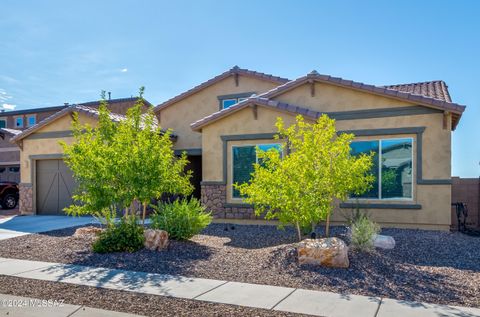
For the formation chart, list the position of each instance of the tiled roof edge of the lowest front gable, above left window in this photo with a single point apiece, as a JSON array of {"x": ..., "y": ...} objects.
[{"x": 277, "y": 105}]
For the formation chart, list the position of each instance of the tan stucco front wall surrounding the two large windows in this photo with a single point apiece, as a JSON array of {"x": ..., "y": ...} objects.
[{"x": 436, "y": 152}]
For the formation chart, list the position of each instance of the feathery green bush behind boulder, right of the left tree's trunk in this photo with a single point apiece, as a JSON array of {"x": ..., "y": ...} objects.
[{"x": 182, "y": 219}]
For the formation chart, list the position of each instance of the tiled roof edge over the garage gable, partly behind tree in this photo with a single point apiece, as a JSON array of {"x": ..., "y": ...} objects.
[{"x": 89, "y": 111}]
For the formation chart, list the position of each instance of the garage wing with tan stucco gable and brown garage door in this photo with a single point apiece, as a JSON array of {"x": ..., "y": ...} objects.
[{"x": 46, "y": 183}]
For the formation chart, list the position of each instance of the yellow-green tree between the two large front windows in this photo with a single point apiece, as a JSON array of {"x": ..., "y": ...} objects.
[{"x": 317, "y": 168}]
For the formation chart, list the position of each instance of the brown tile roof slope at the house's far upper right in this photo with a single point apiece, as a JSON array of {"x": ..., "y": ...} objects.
[{"x": 437, "y": 89}]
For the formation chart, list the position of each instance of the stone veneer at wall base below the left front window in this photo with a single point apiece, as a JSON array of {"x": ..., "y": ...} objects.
[{"x": 214, "y": 198}]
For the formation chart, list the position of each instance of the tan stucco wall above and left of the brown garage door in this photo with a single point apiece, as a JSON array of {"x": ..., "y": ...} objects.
[{"x": 46, "y": 146}]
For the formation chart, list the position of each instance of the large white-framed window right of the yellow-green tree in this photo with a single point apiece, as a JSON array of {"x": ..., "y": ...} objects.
[{"x": 392, "y": 167}]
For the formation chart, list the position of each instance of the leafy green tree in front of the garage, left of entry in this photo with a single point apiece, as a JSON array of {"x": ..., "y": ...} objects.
[{"x": 118, "y": 163}]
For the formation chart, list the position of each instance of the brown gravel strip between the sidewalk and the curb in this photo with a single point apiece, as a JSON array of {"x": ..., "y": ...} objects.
[{"x": 134, "y": 303}]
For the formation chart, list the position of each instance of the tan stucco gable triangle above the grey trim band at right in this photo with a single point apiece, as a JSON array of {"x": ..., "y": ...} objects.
[{"x": 331, "y": 98}]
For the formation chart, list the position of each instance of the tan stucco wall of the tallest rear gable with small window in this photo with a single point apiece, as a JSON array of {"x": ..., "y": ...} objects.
[{"x": 180, "y": 115}]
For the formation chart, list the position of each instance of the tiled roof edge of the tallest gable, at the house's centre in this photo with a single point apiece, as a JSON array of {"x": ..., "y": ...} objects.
[{"x": 233, "y": 71}]
